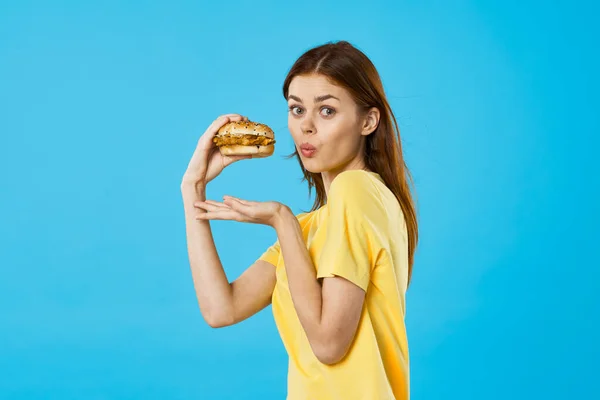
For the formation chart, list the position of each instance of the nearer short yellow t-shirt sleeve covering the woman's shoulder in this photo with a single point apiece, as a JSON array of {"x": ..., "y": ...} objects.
[{"x": 354, "y": 228}]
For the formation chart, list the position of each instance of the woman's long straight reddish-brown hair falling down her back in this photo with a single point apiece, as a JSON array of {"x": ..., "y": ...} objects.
[{"x": 351, "y": 69}]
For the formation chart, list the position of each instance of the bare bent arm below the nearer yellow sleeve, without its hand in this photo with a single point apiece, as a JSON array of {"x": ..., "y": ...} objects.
[{"x": 329, "y": 313}]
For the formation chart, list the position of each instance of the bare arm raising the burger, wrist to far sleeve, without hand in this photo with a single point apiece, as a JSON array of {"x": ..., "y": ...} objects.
[{"x": 221, "y": 303}]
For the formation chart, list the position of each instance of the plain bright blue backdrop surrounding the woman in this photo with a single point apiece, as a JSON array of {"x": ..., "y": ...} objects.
[{"x": 101, "y": 105}]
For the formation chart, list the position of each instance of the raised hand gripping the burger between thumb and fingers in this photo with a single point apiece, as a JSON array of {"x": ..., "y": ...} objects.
[{"x": 207, "y": 162}]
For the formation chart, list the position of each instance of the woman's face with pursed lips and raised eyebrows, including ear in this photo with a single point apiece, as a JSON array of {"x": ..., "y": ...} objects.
[{"x": 325, "y": 124}]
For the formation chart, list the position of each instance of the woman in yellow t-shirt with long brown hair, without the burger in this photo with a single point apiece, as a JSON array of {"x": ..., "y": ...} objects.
[{"x": 337, "y": 275}]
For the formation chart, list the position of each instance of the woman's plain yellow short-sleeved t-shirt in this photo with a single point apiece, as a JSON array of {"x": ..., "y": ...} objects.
[{"x": 360, "y": 235}]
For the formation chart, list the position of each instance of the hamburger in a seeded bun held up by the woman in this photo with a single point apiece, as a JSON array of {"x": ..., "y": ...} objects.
[{"x": 238, "y": 138}]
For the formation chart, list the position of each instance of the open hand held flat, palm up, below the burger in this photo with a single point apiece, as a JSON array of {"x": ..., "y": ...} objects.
[{"x": 234, "y": 209}]
